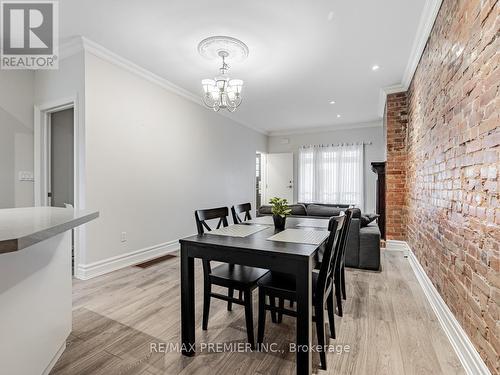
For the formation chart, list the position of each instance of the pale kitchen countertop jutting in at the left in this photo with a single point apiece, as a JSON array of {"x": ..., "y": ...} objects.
[{"x": 23, "y": 227}]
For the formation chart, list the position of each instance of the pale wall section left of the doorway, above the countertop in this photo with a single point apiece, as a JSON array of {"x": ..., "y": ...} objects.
[{"x": 16, "y": 137}]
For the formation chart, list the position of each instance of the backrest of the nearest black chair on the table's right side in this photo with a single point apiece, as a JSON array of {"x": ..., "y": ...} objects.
[{"x": 332, "y": 249}]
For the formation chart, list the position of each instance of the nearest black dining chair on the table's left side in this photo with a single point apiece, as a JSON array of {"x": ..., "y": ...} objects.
[{"x": 232, "y": 276}]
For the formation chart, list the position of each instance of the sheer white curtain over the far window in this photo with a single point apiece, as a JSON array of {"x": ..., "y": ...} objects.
[{"x": 331, "y": 174}]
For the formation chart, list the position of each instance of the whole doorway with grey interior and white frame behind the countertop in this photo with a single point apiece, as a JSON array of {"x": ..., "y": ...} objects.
[{"x": 59, "y": 149}]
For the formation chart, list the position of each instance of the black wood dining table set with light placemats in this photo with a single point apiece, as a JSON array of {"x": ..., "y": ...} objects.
[{"x": 257, "y": 251}]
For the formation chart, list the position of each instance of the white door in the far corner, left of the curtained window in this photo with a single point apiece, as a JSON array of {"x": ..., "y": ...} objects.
[{"x": 280, "y": 176}]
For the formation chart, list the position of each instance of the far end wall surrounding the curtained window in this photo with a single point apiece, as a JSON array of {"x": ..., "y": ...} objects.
[{"x": 373, "y": 152}]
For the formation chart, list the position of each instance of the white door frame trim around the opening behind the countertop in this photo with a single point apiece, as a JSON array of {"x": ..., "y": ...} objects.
[{"x": 42, "y": 159}]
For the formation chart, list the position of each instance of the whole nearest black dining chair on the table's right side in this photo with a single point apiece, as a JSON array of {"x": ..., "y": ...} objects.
[{"x": 282, "y": 286}]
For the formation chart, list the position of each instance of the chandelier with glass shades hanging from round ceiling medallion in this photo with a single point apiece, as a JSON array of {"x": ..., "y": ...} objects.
[{"x": 222, "y": 92}]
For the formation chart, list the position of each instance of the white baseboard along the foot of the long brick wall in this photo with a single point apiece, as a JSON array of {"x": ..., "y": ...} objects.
[{"x": 466, "y": 352}]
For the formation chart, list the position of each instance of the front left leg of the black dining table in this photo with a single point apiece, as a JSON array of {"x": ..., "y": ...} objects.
[{"x": 187, "y": 303}]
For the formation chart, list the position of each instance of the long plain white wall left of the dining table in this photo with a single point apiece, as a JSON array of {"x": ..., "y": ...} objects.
[{"x": 154, "y": 157}]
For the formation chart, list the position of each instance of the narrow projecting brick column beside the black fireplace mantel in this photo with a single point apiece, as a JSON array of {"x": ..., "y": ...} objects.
[{"x": 396, "y": 121}]
